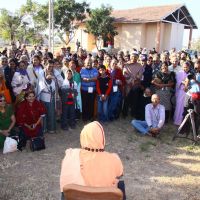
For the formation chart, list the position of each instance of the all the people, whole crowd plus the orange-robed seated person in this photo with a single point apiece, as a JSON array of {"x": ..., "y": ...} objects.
[{"x": 38, "y": 90}]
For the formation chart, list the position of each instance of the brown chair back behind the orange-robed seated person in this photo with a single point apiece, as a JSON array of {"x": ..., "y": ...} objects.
[{"x": 78, "y": 192}]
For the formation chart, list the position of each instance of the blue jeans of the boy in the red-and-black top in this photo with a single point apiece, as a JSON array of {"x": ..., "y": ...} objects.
[{"x": 102, "y": 109}]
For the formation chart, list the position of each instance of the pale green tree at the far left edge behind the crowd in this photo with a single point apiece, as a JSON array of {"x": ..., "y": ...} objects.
[{"x": 9, "y": 25}]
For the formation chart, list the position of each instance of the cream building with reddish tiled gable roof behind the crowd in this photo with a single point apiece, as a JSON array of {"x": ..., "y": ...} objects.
[{"x": 161, "y": 27}]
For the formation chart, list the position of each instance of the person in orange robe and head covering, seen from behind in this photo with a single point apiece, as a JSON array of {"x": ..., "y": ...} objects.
[{"x": 91, "y": 165}]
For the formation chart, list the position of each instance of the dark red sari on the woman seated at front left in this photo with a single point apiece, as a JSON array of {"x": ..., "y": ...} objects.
[{"x": 29, "y": 114}]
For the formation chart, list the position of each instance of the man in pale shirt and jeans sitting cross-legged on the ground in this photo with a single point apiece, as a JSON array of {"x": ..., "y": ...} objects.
[{"x": 154, "y": 118}]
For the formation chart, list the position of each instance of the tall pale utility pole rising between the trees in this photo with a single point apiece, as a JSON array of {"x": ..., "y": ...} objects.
[{"x": 51, "y": 26}]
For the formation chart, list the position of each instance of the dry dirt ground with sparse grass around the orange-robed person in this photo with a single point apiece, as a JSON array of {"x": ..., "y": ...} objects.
[{"x": 154, "y": 168}]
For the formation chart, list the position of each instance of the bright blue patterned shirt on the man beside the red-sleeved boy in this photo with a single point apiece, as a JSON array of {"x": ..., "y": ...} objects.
[{"x": 88, "y": 73}]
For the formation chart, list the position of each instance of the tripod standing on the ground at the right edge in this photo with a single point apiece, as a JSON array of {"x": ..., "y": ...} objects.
[{"x": 189, "y": 116}]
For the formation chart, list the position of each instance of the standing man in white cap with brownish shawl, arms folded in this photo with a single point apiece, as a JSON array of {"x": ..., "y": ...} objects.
[{"x": 133, "y": 74}]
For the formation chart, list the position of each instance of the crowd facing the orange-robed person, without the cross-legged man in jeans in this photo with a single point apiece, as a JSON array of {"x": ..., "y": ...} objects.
[{"x": 41, "y": 89}]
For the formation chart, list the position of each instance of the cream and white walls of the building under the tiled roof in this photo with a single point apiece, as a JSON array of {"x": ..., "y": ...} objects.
[{"x": 138, "y": 35}]
